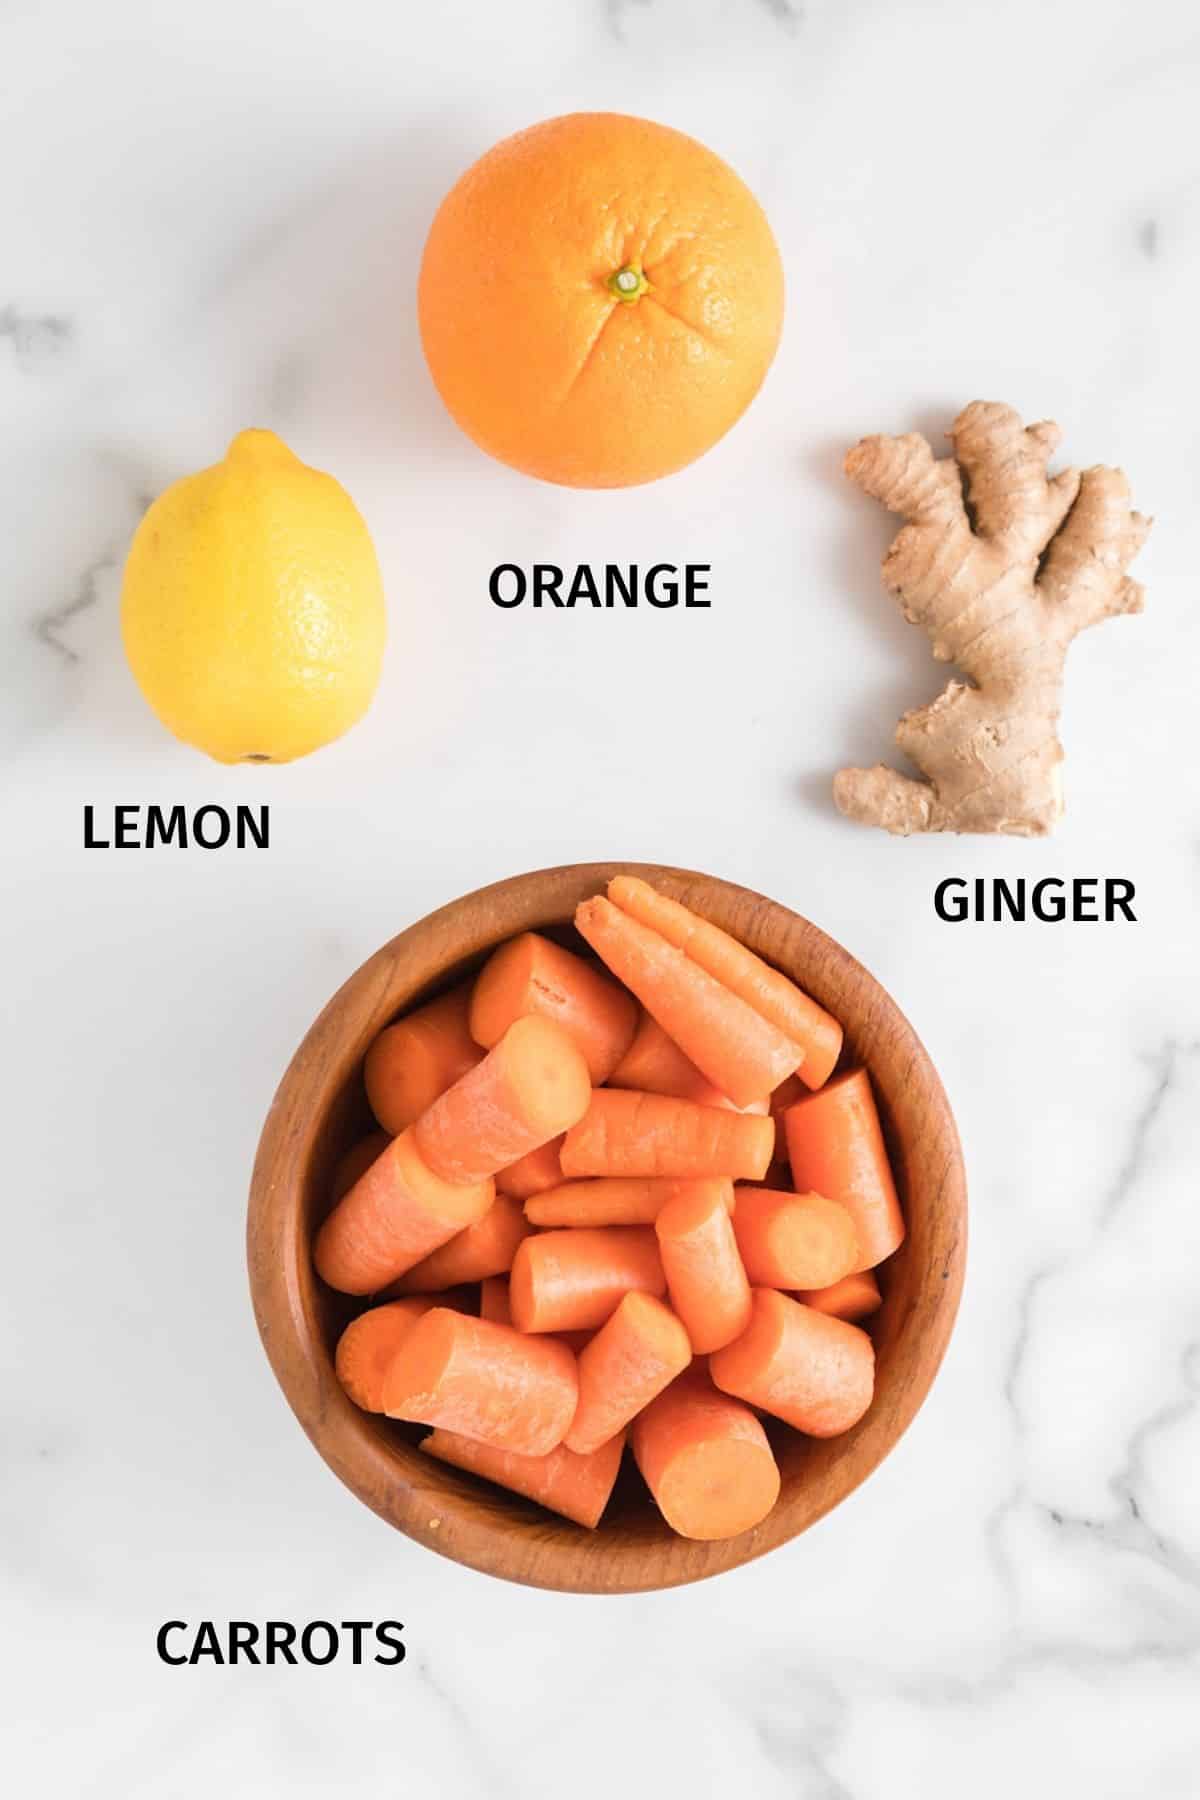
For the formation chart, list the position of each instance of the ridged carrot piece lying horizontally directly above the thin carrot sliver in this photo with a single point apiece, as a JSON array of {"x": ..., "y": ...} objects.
[{"x": 652, "y": 1135}]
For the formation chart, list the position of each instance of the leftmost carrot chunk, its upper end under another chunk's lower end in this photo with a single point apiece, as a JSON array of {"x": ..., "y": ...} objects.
[{"x": 395, "y": 1216}]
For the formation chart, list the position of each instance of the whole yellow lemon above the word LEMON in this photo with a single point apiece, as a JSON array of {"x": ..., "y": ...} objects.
[{"x": 253, "y": 607}]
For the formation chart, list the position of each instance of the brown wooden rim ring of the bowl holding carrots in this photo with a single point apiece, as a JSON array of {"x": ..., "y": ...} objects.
[{"x": 429, "y": 1502}]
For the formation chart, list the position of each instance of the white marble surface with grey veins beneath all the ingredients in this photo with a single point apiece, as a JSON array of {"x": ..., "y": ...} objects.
[{"x": 213, "y": 219}]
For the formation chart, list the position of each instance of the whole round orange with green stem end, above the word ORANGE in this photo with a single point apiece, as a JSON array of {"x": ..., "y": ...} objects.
[{"x": 600, "y": 300}]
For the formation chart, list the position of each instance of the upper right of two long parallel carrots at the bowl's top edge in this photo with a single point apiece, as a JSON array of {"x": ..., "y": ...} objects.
[{"x": 746, "y": 975}]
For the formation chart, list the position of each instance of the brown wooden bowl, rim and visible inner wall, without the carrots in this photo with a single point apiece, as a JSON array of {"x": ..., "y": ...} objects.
[{"x": 321, "y": 1110}]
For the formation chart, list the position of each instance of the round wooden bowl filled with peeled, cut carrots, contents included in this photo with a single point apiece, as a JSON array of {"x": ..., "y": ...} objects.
[{"x": 607, "y": 1228}]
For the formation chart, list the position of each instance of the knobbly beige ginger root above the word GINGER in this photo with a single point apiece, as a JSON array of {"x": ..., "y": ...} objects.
[{"x": 1001, "y": 566}]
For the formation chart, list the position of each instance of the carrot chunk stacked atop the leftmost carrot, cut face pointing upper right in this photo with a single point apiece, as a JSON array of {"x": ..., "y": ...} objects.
[{"x": 526, "y": 1092}]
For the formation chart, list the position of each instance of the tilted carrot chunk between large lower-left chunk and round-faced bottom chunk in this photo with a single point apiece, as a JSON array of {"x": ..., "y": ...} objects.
[{"x": 631, "y": 1360}]
